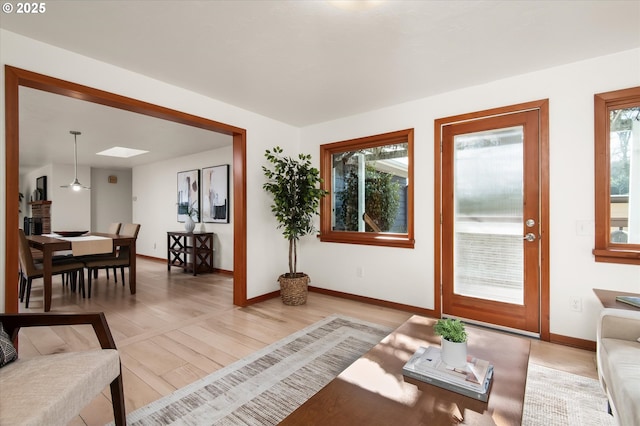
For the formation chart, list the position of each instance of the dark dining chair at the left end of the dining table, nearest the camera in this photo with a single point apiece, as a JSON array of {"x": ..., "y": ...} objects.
[{"x": 31, "y": 270}]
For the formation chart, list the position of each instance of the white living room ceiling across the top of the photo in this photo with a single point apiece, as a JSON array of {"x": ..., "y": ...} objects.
[{"x": 305, "y": 62}]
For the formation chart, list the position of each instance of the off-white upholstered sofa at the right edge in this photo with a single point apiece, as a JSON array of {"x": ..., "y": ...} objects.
[{"x": 618, "y": 357}]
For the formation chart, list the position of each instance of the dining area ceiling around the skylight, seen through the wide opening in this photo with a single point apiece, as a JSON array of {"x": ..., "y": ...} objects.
[{"x": 47, "y": 118}]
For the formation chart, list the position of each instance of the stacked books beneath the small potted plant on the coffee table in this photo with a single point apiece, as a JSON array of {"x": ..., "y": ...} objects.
[{"x": 473, "y": 380}]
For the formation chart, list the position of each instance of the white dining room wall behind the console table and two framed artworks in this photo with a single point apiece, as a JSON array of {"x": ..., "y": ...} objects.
[{"x": 154, "y": 206}]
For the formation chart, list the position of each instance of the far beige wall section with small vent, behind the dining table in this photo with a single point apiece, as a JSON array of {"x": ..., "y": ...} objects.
[{"x": 110, "y": 202}]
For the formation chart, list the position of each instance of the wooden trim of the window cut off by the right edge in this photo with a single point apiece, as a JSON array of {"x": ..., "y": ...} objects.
[{"x": 605, "y": 250}]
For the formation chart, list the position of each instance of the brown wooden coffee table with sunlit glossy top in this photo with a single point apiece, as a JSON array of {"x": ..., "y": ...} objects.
[{"x": 373, "y": 391}]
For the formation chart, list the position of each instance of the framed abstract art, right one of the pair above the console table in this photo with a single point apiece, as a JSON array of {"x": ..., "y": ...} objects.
[{"x": 215, "y": 194}]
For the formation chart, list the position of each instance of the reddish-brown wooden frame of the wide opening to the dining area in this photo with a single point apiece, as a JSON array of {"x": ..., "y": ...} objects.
[{"x": 16, "y": 77}]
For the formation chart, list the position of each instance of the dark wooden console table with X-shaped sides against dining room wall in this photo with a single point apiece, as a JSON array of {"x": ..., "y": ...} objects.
[{"x": 192, "y": 251}]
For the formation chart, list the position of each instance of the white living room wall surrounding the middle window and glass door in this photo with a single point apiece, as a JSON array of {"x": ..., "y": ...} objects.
[{"x": 407, "y": 276}]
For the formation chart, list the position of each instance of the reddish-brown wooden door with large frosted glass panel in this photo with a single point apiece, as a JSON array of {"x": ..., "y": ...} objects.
[{"x": 490, "y": 224}]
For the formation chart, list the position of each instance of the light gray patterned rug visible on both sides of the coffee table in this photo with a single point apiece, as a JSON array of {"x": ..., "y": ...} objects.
[{"x": 265, "y": 387}]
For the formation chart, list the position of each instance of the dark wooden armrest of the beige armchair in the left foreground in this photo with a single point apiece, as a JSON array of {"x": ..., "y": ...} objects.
[{"x": 13, "y": 322}]
